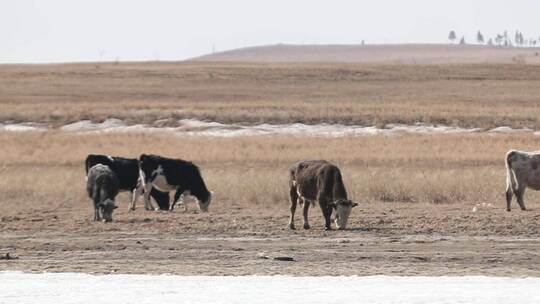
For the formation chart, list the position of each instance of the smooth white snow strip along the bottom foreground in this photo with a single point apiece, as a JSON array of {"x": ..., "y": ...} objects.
[{"x": 16, "y": 287}]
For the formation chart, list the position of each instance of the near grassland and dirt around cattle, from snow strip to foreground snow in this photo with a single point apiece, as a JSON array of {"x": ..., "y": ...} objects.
[{"x": 416, "y": 195}]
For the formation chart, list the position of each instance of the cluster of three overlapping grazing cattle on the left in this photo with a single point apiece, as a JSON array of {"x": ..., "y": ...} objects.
[{"x": 151, "y": 176}]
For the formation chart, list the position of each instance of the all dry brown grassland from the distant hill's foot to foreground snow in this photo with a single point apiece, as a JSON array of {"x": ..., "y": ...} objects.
[{"x": 429, "y": 204}]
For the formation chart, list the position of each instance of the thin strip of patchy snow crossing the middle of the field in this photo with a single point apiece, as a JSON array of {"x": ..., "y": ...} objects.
[{"x": 192, "y": 127}]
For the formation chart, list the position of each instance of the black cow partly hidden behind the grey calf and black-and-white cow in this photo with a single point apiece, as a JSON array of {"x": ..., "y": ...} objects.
[{"x": 127, "y": 171}]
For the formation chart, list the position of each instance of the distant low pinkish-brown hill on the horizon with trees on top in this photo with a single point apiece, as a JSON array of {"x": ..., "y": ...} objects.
[{"x": 380, "y": 54}]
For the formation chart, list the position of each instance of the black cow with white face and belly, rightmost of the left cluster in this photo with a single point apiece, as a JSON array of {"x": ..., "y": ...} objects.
[{"x": 167, "y": 174}]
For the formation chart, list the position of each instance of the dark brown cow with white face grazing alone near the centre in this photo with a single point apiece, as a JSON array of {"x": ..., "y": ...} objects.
[{"x": 319, "y": 181}]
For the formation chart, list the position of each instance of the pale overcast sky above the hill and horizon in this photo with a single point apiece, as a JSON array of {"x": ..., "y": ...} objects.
[{"x": 90, "y": 30}]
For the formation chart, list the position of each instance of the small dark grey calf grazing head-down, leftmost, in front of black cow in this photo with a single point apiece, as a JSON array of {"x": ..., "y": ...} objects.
[{"x": 102, "y": 186}]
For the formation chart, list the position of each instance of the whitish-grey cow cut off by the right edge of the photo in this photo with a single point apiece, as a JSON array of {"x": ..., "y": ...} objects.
[{"x": 523, "y": 171}]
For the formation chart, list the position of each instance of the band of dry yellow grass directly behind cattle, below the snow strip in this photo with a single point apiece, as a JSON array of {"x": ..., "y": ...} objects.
[{"x": 38, "y": 169}]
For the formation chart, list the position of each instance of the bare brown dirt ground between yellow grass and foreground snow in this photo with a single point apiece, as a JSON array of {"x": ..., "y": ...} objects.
[{"x": 383, "y": 238}]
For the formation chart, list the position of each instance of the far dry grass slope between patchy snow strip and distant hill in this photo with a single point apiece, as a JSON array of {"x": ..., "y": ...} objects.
[{"x": 465, "y": 95}]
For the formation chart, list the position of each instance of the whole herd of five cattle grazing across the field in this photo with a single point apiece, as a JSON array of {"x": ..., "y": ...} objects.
[{"x": 310, "y": 182}]
